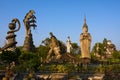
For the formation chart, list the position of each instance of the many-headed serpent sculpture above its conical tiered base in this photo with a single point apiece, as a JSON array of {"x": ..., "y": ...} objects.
[{"x": 29, "y": 21}]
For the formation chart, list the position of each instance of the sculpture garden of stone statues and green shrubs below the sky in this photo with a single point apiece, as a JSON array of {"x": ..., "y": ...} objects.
[{"x": 56, "y": 60}]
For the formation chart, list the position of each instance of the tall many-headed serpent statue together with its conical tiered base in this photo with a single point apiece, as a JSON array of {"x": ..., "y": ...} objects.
[{"x": 29, "y": 21}]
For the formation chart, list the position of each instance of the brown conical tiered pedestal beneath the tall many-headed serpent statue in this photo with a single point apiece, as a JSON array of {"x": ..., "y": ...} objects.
[{"x": 28, "y": 44}]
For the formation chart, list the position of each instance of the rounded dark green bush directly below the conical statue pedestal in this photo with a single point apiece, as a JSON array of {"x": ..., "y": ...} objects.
[{"x": 29, "y": 60}]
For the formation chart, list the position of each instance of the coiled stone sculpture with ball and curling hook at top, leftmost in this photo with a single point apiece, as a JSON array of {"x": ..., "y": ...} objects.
[{"x": 10, "y": 39}]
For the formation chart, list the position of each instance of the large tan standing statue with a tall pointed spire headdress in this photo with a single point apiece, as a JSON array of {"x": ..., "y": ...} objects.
[{"x": 85, "y": 41}]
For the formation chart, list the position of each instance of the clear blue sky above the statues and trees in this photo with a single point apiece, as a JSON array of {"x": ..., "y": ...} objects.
[{"x": 63, "y": 18}]
